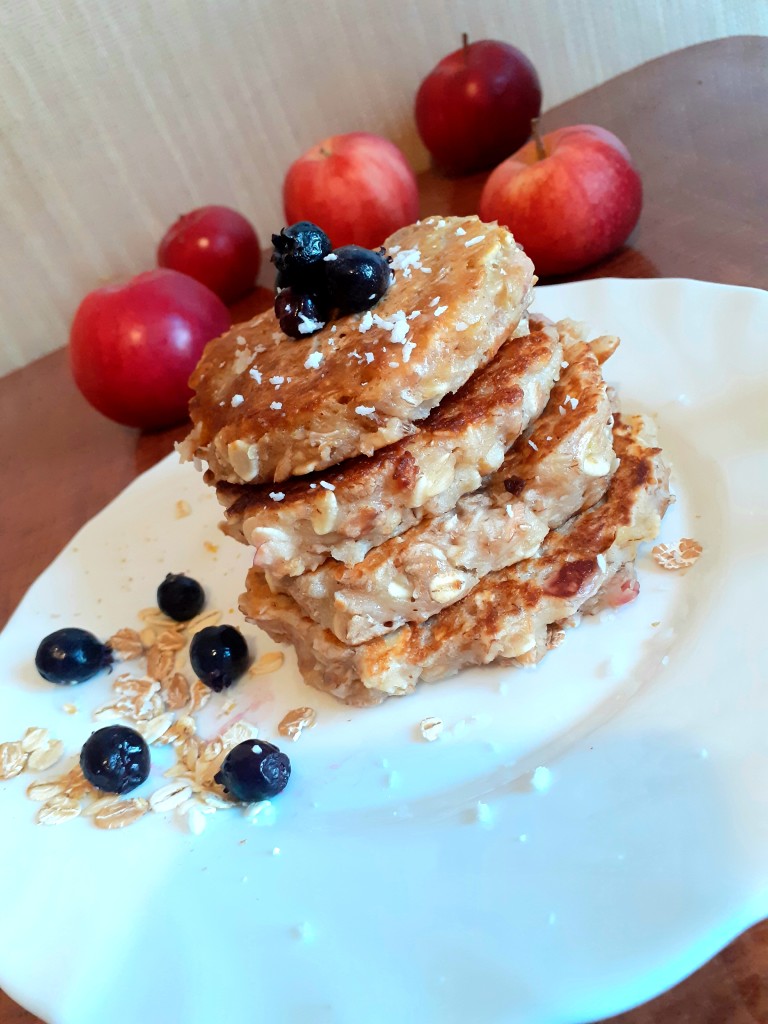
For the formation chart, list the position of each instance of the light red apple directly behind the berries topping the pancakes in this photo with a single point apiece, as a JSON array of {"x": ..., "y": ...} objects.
[{"x": 358, "y": 188}]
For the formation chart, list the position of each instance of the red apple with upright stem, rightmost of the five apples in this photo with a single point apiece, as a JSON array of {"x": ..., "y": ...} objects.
[{"x": 570, "y": 198}]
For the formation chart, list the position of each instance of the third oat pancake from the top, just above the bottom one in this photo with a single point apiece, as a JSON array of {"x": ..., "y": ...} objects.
[{"x": 562, "y": 465}]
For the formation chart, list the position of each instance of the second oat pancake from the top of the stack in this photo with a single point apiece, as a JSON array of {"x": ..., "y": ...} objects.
[{"x": 347, "y": 511}]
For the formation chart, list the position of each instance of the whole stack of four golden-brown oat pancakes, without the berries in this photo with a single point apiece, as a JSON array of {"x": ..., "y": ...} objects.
[{"x": 438, "y": 483}]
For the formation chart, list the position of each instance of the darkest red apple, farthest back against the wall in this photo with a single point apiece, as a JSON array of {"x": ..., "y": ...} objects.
[{"x": 476, "y": 107}]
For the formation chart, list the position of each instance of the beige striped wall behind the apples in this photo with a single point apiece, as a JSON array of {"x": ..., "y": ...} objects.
[{"x": 118, "y": 115}]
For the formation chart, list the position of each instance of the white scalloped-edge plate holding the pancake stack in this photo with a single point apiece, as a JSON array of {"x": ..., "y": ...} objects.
[{"x": 389, "y": 899}]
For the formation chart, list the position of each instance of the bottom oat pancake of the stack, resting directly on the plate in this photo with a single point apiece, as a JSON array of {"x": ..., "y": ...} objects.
[{"x": 510, "y": 615}]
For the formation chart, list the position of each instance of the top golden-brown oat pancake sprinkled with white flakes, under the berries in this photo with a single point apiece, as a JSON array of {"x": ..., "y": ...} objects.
[{"x": 268, "y": 407}]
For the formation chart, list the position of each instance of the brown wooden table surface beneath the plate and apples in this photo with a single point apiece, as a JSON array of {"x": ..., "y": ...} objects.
[{"x": 697, "y": 123}]
